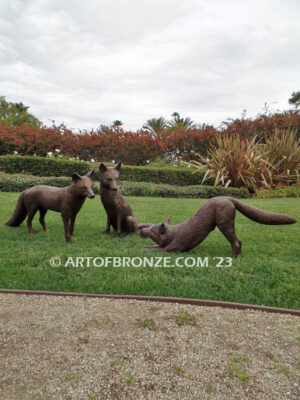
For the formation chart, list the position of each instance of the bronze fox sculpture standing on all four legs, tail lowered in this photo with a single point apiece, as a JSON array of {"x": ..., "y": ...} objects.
[{"x": 68, "y": 201}]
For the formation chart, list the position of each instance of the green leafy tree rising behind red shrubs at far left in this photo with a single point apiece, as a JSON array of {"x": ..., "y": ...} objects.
[{"x": 16, "y": 114}]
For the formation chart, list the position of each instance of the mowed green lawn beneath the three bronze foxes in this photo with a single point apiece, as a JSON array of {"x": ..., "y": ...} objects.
[{"x": 266, "y": 273}]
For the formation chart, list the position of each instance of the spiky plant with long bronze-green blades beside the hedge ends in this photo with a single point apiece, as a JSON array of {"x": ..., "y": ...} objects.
[{"x": 235, "y": 161}]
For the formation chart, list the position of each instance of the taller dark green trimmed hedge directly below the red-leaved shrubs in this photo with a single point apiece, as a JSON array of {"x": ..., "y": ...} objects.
[{"x": 46, "y": 166}]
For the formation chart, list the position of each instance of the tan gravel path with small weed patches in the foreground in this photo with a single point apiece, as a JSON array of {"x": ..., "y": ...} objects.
[{"x": 79, "y": 348}]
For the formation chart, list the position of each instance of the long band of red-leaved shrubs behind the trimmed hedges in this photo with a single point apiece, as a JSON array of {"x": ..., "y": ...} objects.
[{"x": 137, "y": 148}]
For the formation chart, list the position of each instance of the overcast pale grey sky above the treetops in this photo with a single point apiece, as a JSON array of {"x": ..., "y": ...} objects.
[{"x": 87, "y": 63}]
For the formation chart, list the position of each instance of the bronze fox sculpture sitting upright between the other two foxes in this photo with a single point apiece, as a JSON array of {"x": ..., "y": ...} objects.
[{"x": 118, "y": 211}]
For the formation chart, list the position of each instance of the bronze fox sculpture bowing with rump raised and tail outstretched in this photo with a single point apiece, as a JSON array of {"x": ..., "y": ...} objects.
[{"x": 218, "y": 211}]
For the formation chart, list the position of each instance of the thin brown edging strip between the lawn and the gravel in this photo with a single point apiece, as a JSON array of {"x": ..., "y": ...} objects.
[{"x": 179, "y": 300}]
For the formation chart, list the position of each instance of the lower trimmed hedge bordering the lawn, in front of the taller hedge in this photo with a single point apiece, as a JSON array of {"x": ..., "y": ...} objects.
[{"x": 19, "y": 182}]
